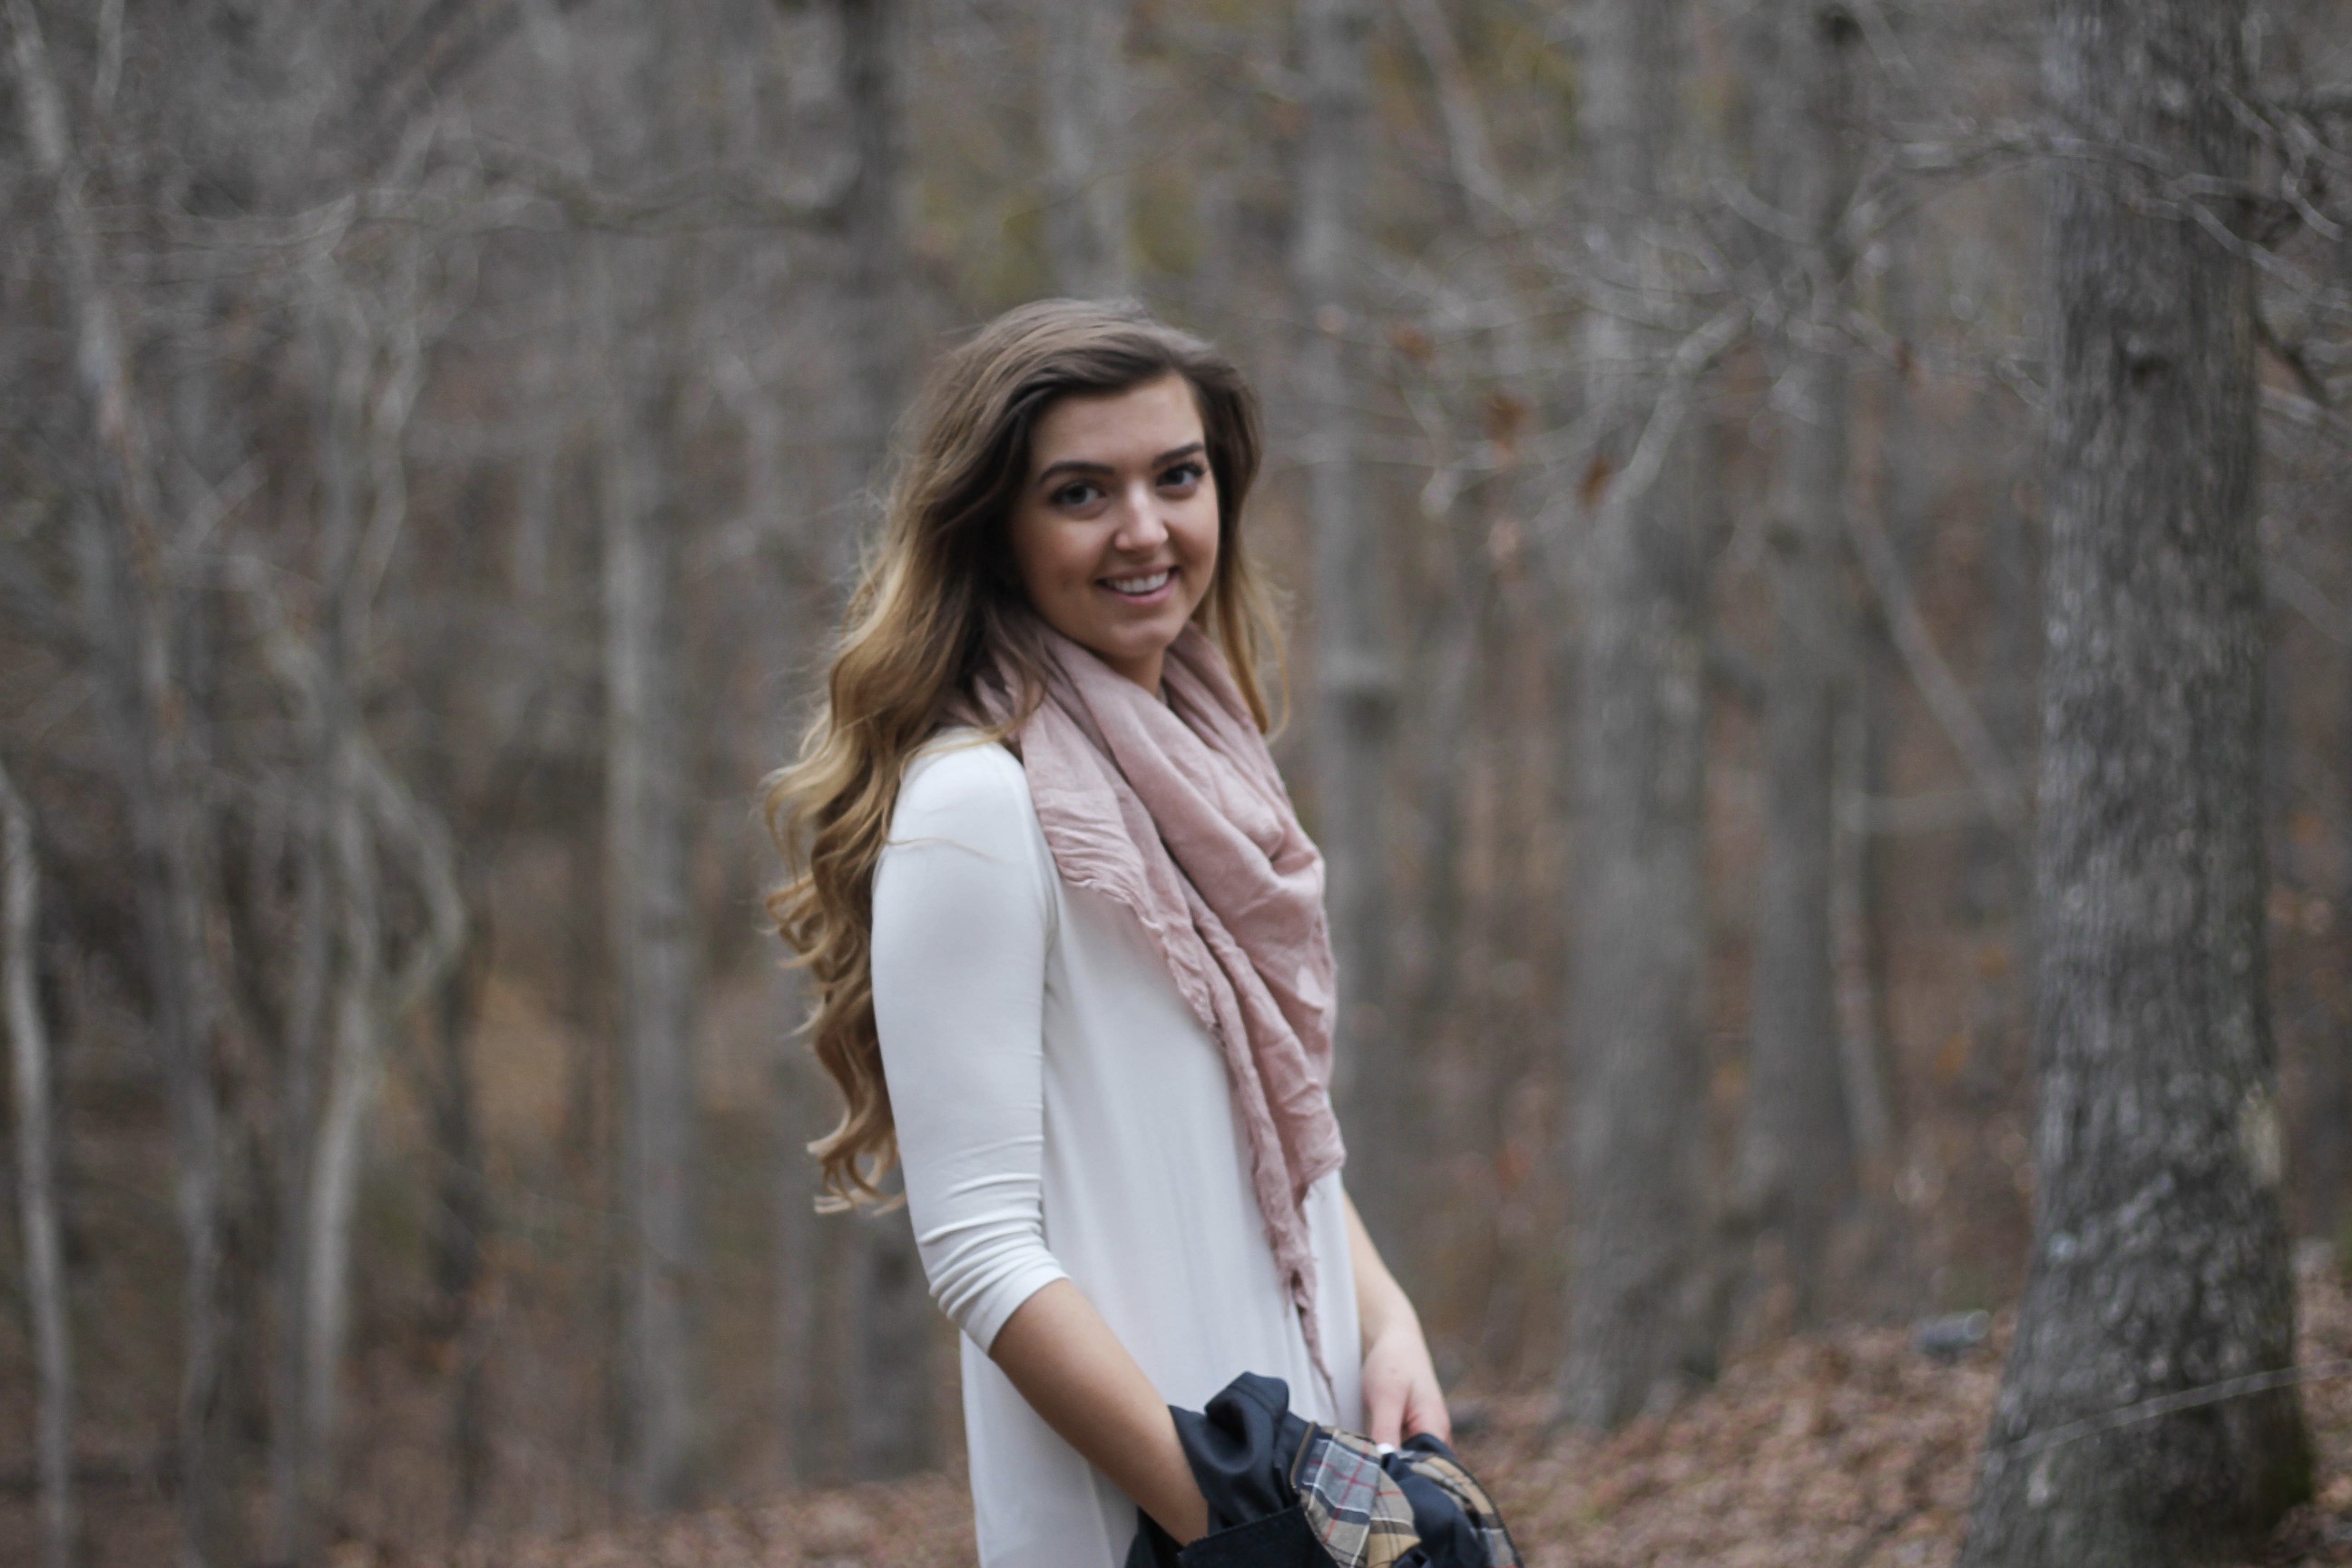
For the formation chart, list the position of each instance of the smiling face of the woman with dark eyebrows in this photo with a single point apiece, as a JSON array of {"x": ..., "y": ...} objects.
[{"x": 1116, "y": 530}]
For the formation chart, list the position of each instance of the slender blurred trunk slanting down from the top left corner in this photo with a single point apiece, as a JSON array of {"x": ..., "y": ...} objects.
[{"x": 147, "y": 718}]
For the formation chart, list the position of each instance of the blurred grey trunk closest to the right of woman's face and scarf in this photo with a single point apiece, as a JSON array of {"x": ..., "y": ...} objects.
[{"x": 1356, "y": 690}]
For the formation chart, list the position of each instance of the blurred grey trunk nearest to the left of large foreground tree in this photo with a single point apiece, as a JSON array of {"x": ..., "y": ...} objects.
[{"x": 1798, "y": 1137}]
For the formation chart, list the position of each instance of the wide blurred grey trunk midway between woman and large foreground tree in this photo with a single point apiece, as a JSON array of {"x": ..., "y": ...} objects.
[{"x": 1638, "y": 904}]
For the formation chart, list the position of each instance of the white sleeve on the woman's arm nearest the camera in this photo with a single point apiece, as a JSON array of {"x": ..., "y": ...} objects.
[{"x": 961, "y": 927}]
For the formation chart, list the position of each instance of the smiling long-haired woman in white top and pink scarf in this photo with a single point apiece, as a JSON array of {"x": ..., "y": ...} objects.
[{"x": 1069, "y": 939}]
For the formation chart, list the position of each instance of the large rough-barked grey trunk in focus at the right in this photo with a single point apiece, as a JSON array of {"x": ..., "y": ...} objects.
[{"x": 2160, "y": 1264}]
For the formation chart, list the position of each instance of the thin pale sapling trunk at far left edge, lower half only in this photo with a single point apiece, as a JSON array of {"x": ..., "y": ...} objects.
[{"x": 36, "y": 1179}]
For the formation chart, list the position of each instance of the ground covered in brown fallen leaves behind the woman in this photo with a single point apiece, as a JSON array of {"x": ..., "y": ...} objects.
[{"x": 1845, "y": 1449}]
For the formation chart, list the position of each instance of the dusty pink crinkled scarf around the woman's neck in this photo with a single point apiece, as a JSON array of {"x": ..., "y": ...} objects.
[{"x": 1177, "y": 812}]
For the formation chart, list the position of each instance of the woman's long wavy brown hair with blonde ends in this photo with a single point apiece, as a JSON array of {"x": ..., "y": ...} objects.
[{"x": 937, "y": 608}]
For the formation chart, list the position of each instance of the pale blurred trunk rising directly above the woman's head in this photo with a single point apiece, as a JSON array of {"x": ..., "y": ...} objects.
[{"x": 1085, "y": 109}]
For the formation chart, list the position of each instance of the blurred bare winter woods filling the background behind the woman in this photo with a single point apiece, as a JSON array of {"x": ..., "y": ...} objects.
[{"x": 436, "y": 438}]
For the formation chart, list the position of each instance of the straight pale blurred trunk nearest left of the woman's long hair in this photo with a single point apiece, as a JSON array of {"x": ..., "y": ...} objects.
[{"x": 653, "y": 942}]
